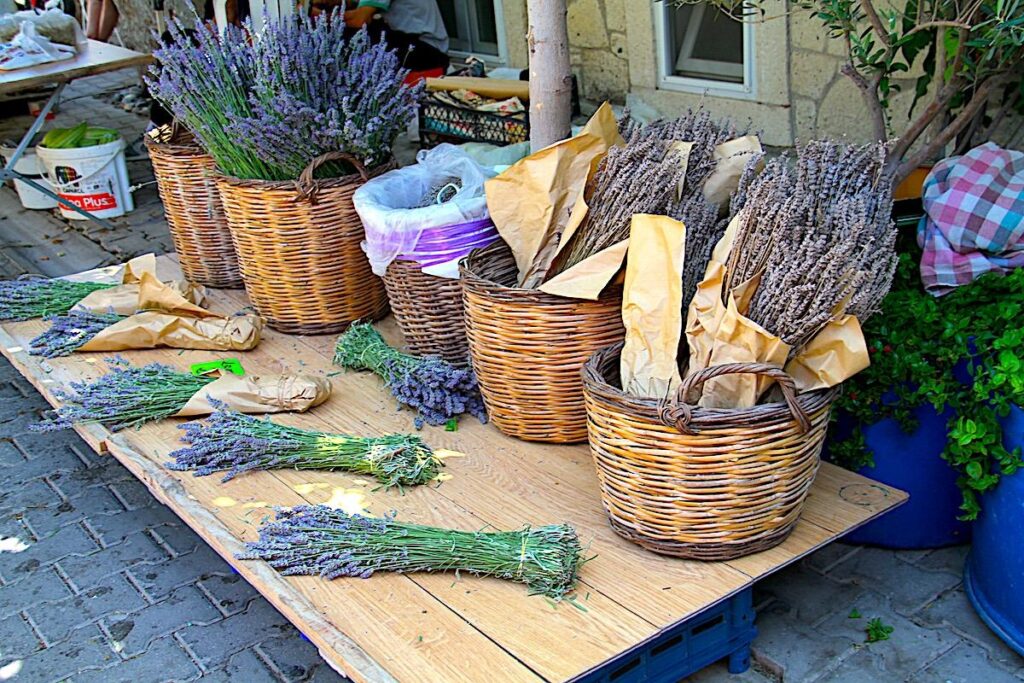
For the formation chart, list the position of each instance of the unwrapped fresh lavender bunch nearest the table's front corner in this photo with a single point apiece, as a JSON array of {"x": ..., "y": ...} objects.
[{"x": 329, "y": 543}]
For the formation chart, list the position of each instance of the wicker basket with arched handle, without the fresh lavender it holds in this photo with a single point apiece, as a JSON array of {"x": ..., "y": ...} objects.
[{"x": 300, "y": 251}]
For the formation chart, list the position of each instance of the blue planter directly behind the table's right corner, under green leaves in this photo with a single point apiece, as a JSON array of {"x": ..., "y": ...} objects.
[{"x": 913, "y": 463}]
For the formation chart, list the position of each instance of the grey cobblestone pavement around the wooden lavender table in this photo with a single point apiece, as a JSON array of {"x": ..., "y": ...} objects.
[{"x": 111, "y": 586}]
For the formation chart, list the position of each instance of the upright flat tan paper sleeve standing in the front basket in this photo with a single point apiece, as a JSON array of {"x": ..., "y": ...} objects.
[{"x": 653, "y": 301}]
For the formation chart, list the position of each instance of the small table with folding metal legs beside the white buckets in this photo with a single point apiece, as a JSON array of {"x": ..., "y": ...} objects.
[{"x": 94, "y": 59}]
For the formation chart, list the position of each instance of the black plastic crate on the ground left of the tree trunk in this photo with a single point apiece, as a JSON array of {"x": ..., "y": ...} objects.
[{"x": 443, "y": 122}]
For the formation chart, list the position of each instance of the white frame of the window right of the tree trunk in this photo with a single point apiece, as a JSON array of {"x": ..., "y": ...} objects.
[{"x": 666, "y": 62}]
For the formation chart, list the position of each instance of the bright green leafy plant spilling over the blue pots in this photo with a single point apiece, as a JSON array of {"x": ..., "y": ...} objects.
[{"x": 965, "y": 352}]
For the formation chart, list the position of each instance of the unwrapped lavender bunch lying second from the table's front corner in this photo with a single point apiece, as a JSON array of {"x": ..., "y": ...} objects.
[{"x": 237, "y": 443}]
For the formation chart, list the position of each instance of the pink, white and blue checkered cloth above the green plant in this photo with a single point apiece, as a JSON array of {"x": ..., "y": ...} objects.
[{"x": 974, "y": 221}]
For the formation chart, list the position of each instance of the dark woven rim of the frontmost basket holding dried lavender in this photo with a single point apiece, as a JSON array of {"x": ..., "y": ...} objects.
[{"x": 595, "y": 382}]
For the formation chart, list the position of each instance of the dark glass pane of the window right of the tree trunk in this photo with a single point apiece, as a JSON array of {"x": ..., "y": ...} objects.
[{"x": 706, "y": 44}]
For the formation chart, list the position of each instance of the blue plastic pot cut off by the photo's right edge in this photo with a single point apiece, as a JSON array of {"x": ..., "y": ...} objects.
[{"x": 995, "y": 572}]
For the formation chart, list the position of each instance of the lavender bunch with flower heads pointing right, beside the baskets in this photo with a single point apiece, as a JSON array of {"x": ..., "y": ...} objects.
[{"x": 438, "y": 391}]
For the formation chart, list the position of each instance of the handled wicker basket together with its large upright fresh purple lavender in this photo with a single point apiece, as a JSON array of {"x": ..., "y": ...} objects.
[{"x": 297, "y": 117}]
